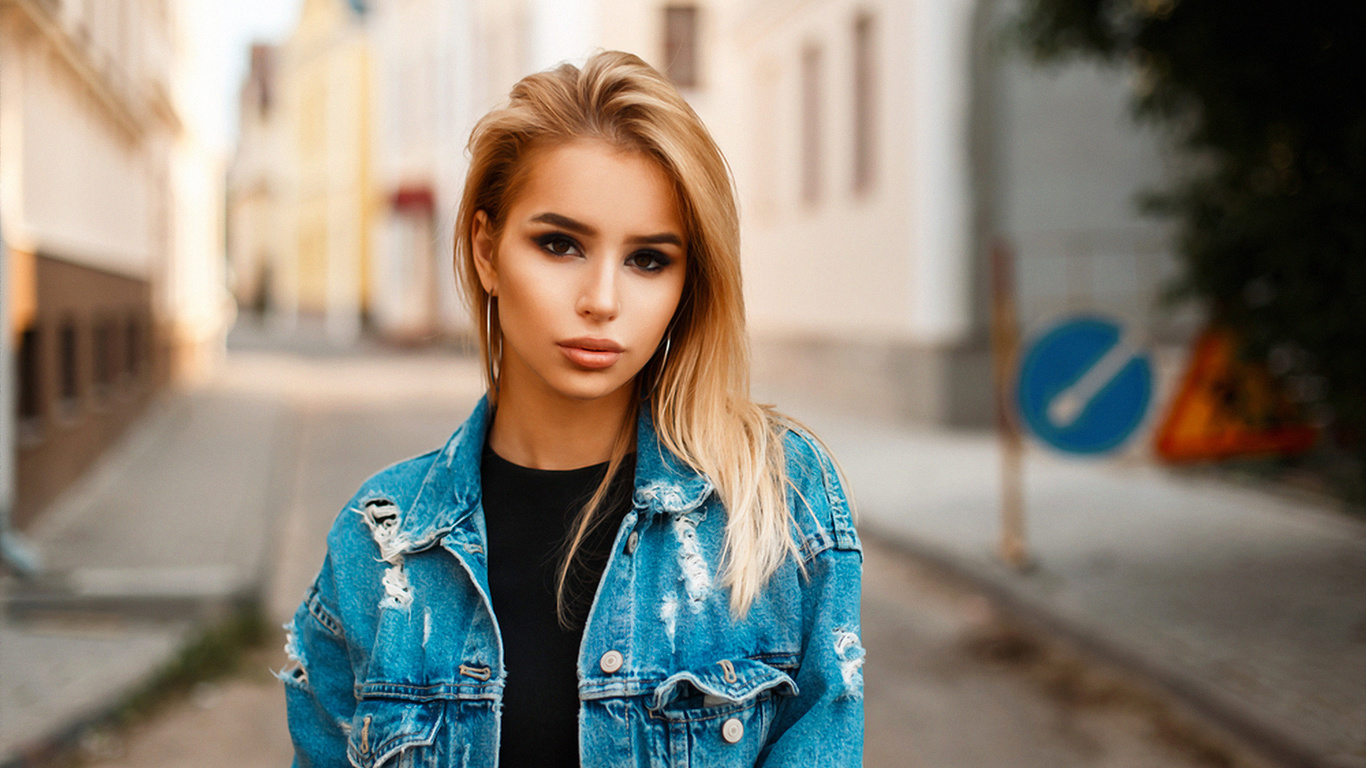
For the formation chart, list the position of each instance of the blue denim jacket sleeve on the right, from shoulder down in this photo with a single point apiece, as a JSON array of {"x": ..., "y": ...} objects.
[{"x": 823, "y": 725}]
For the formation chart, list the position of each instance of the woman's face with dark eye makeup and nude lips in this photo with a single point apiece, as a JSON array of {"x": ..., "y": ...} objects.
[{"x": 588, "y": 271}]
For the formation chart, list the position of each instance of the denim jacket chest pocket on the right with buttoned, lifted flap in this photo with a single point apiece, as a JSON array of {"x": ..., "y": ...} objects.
[{"x": 721, "y": 714}]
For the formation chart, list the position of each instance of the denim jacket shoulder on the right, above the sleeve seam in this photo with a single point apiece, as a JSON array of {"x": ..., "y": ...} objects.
[{"x": 816, "y": 494}]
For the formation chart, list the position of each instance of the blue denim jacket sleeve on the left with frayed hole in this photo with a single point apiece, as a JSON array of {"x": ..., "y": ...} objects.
[{"x": 319, "y": 678}]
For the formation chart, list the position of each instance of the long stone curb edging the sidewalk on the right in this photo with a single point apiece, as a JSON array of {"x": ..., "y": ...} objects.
[{"x": 1252, "y": 730}]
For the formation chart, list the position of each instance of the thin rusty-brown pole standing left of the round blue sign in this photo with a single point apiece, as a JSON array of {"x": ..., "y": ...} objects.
[{"x": 1005, "y": 348}]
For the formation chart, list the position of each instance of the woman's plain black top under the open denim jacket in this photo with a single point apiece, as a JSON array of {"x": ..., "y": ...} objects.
[{"x": 529, "y": 516}]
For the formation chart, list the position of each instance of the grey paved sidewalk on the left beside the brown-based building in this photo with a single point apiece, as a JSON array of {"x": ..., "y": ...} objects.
[{"x": 167, "y": 531}]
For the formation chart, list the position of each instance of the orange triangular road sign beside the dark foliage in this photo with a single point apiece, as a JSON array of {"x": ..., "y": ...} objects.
[{"x": 1229, "y": 408}]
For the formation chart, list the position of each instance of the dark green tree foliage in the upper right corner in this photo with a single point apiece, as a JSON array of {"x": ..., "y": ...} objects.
[{"x": 1270, "y": 99}]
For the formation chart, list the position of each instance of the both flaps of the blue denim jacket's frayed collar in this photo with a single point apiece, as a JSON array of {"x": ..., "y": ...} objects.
[{"x": 450, "y": 494}]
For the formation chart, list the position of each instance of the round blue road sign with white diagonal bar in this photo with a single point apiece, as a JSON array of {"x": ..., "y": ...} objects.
[{"x": 1084, "y": 387}]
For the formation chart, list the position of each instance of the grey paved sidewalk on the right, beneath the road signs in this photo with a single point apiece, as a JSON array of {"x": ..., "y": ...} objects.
[{"x": 1251, "y": 607}]
